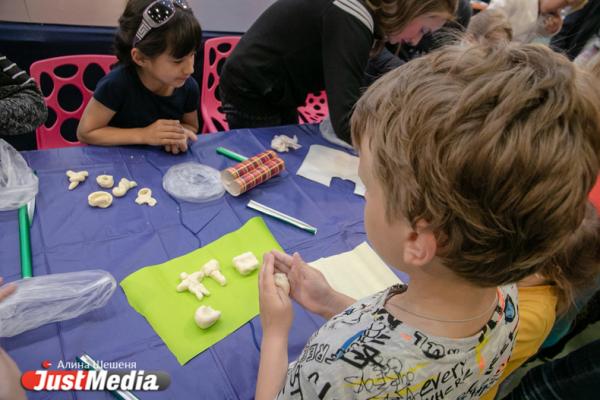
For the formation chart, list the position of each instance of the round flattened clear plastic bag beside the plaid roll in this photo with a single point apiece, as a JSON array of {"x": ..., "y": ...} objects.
[{"x": 193, "y": 182}]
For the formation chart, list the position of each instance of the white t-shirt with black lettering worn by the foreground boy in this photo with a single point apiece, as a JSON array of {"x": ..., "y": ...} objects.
[{"x": 366, "y": 353}]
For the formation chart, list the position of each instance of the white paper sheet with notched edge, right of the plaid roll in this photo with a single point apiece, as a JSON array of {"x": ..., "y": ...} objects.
[{"x": 323, "y": 163}]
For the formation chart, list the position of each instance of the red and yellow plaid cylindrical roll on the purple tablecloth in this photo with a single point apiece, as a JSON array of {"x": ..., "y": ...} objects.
[{"x": 244, "y": 176}]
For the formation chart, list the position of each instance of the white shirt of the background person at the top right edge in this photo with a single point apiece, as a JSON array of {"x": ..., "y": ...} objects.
[{"x": 523, "y": 16}]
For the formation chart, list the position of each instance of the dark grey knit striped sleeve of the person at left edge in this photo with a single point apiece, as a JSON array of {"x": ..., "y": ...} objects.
[{"x": 22, "y": 108}]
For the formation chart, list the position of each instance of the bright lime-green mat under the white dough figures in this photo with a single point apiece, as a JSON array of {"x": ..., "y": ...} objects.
[{"x": 151, "y": 291}]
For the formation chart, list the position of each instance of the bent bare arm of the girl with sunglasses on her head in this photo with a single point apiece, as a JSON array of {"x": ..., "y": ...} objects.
[{"x": 93, "y": 129}]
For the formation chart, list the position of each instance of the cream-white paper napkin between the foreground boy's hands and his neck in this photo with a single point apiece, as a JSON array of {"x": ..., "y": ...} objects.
[{"x": 357, "y": 273}]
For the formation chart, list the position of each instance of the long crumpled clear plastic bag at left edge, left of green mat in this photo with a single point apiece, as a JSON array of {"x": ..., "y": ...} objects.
[{"x": 52, "y": 298}]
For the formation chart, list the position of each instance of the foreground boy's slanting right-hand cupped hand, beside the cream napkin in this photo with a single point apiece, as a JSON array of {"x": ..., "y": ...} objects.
[{"x": 309, "y": 287}]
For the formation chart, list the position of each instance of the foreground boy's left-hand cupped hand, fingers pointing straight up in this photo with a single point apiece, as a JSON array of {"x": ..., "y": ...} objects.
[{"x": 276, "y": 312}]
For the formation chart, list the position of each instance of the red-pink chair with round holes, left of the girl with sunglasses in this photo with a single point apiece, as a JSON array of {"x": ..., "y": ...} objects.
[{"x": 51, "y": 137}]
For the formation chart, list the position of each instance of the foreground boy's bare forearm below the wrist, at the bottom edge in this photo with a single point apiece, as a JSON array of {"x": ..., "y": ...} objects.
[{"x": 272, "y": 368}]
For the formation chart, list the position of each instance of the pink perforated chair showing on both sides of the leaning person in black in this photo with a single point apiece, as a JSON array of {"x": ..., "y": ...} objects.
[{"x": 216, "y": 50}]
